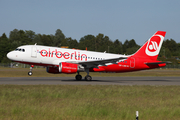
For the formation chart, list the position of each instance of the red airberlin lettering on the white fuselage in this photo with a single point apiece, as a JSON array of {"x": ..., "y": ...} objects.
[{"x": 66, "y": 55}]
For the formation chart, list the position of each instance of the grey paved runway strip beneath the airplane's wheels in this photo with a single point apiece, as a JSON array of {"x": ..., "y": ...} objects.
[{"x": 95, "y": 81}]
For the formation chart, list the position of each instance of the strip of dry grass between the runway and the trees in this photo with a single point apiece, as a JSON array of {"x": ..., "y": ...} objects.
[{"x": 41, "y": 72}]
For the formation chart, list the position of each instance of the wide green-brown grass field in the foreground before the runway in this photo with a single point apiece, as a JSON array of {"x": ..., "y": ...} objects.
[{"x": 67, "y": 102}]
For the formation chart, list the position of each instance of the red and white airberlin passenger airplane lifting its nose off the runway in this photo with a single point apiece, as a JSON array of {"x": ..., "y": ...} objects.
[{"x": 69, "y": 61}]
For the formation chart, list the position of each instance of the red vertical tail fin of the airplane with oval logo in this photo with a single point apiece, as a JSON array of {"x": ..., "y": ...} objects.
[{"x": 152, "y": 47}]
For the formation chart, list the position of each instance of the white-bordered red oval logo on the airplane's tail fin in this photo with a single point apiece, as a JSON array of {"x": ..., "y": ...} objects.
[{"x": 154, "y": 45}]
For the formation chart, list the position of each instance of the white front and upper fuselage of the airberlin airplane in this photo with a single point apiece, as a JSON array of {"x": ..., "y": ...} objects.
[{"x": 45, "y": 55}]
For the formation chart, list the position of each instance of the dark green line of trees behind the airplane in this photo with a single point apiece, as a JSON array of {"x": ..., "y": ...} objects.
[{"x": 100, "y": 43}]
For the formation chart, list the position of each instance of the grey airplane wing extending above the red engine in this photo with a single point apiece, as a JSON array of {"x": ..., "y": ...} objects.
[{"x": 89, "y": 64}]
